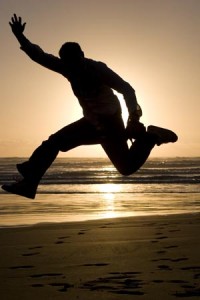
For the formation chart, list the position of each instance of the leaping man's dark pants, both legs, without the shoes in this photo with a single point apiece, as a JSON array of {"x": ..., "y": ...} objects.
[{"x": 112, "y": 138}]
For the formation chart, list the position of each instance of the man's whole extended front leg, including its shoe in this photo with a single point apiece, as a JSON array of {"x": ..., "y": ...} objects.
[{"x": 69, "y": 137}]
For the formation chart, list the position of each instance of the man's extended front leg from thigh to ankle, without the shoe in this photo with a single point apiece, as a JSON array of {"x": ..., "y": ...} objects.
[{"x": 69, "y": 137}]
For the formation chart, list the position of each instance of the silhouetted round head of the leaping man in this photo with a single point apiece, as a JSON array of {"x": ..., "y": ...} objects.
[{"x": 71, "y": 52}]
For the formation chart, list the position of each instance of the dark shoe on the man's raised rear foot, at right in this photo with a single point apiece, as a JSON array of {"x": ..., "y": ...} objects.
[{"x": 163, "y": 136}]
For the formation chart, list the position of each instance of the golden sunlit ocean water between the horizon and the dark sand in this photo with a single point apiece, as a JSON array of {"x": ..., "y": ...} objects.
[{"x": 79, "y": 189}]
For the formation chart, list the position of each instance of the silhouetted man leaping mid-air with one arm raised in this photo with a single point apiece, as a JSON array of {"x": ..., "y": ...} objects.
[{"x": 92, "y": 83}]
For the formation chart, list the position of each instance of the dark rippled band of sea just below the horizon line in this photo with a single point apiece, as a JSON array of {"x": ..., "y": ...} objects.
[{"x": 101, "y": 171}]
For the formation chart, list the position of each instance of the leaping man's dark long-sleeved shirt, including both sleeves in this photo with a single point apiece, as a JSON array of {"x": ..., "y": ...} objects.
[{"x": 92, "y": 84}]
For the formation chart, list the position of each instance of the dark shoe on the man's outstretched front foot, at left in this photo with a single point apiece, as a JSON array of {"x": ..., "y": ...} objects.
[{"x": 21, "y": 188}]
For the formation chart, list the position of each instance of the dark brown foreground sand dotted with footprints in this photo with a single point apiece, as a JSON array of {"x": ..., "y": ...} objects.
[{"x": 151, "y": 258}]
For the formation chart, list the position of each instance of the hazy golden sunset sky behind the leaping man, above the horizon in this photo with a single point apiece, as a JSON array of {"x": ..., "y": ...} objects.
[{"x": 152, "y": 44}]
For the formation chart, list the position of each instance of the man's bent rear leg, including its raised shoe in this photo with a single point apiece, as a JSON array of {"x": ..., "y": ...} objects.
[{"x": 128, "y": 161}]
